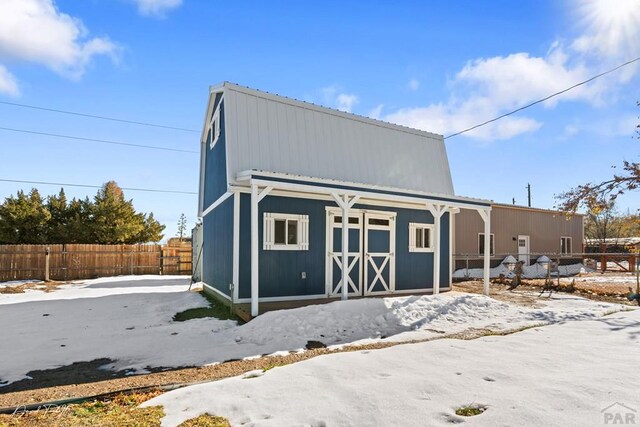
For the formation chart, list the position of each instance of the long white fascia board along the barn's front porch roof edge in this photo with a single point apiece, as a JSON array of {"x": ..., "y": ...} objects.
[{"x": 458, "y": 201}]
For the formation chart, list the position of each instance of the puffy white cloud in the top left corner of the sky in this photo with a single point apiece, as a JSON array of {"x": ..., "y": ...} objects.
[{"x": 35, "y": 31}]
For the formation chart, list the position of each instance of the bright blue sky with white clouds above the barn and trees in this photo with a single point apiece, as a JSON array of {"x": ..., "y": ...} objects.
[{"x": 440, "y": 66}]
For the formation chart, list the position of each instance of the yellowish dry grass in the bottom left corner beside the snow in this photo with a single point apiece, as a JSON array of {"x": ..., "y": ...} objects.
[{"x": 121, "y": 410}]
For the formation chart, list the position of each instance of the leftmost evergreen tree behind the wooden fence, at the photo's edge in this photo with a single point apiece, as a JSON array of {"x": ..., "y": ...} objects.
[{"x": 23, "y": 219}]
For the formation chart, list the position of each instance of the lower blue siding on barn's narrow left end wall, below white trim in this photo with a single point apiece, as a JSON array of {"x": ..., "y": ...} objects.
[{"x": 217, "y": 254}]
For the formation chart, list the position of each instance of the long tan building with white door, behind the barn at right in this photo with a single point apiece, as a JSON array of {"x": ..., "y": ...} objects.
[{"x": 523, "y": 232}]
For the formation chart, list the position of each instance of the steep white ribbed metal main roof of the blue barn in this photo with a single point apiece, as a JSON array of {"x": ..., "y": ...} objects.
[{"x": 275, "y": 133}]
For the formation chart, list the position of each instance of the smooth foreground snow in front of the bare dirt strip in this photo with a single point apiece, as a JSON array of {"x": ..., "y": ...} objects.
[{"x": 572, "y": 373}]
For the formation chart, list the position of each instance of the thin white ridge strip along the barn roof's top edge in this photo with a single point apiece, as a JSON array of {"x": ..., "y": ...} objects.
[{"x": 330, "y": 111}]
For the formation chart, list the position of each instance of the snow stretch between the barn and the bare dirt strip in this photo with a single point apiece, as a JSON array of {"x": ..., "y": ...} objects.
[{"x": 129, "y": 320}]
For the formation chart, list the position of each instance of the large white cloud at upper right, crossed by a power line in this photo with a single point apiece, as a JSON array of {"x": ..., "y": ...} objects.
[{"x": 489, "y": 87}]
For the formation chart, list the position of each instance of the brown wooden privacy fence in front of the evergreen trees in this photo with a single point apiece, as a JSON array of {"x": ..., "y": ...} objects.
[{"x": 79, "y": 261}]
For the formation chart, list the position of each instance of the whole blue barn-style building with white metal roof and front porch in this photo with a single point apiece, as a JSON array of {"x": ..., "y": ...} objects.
[{"x": 279, "y": 176}]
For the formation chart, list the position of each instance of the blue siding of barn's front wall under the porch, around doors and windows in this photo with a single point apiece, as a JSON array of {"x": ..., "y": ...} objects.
[{"x": 280, "y": 271}]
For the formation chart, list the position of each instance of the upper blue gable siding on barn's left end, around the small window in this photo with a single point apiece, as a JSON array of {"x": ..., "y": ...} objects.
[{"x": 215, "y": 175}]
